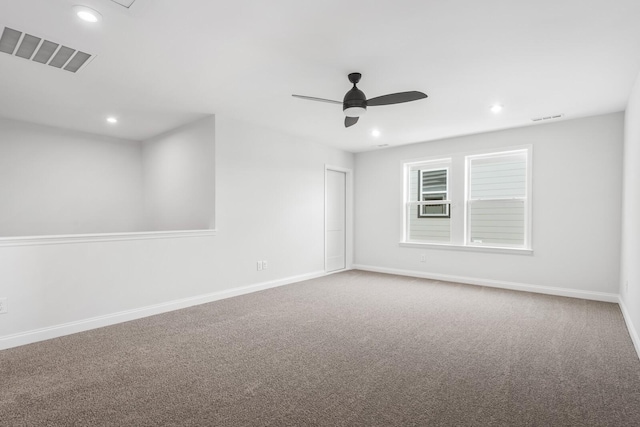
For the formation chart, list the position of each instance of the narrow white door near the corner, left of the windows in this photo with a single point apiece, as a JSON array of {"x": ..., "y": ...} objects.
[{"x": 335, "y": 221}]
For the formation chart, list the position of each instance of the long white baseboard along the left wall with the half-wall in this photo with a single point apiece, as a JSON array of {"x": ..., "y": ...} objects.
[{"x": 56, "y": 331}]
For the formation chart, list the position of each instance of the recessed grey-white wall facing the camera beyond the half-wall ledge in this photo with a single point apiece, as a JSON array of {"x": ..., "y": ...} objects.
[{"x": 54, "y": 181}]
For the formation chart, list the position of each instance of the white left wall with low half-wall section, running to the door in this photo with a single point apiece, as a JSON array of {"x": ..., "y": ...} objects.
[{"x": 269, "y": 206}]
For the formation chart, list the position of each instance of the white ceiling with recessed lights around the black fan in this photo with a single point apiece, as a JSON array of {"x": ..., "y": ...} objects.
[{"x": 162, "y": 63}]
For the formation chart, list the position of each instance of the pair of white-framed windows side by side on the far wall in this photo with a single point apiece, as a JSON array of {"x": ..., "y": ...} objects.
[{"x": 474, "y": 200}]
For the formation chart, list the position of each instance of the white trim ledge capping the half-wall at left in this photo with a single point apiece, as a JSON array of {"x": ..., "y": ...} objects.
[{"x": 103, "y": 237}]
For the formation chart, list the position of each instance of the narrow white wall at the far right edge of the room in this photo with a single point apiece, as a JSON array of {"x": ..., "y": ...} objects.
[{"x": 630, "y": 264}]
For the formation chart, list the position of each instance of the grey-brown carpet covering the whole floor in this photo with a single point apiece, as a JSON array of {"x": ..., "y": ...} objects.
[{"x": 351, "y": 349}]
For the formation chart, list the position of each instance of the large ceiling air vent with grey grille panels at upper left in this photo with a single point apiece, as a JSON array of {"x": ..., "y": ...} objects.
[{"x": 37, "y": 49}]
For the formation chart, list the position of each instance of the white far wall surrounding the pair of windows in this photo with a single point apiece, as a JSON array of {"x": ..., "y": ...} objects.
[{"x": 576, "y": 199}]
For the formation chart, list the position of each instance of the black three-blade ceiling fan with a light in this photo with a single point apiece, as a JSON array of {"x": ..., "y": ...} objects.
[{"x": 355, "y": 102}]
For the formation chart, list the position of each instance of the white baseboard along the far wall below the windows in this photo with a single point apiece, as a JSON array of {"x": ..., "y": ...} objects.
[{"x": 573, "y": 293}]
